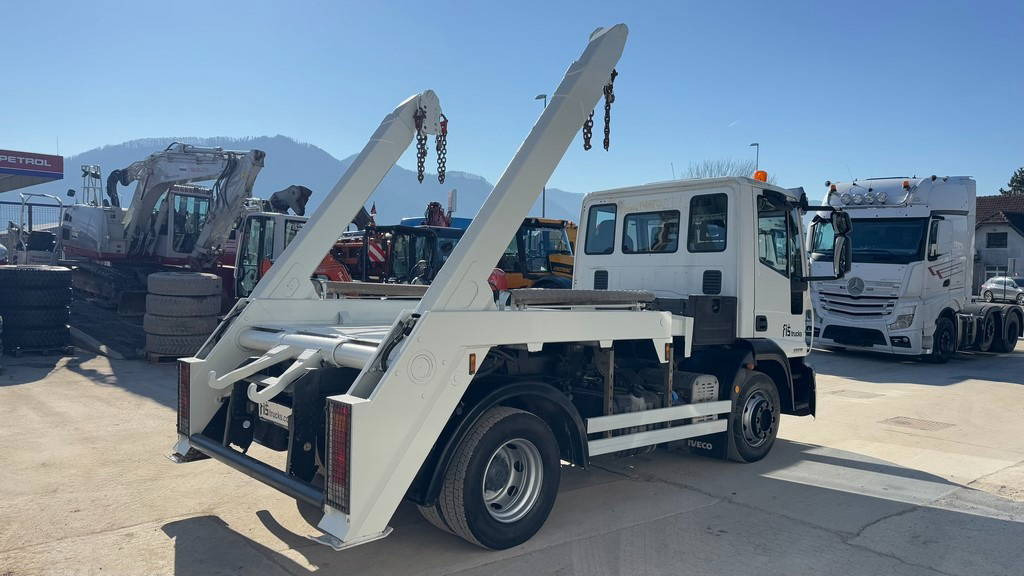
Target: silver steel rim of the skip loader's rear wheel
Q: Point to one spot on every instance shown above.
(513, 480)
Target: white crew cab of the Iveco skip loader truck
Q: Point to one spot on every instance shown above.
(737, 240)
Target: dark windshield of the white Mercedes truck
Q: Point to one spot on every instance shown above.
(893, 241)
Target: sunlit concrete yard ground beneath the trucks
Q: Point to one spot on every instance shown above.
(910, 469)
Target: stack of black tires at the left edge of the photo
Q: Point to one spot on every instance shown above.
(34, 304)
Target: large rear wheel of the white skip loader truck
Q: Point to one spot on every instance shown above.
(462, 501)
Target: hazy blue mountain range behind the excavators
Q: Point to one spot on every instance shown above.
(291, 162)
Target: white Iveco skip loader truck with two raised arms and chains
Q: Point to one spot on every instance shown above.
(689, 320)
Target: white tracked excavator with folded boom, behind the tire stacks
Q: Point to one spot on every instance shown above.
(172, 221)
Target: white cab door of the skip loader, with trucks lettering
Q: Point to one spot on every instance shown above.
(780, 292)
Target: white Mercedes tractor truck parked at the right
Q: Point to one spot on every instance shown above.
(910, 290)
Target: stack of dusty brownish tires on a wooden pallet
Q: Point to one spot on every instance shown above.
(182, 310)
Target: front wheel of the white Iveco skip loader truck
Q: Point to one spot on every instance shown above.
(755, 419)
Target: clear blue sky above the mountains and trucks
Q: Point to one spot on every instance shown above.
(831, 91)
